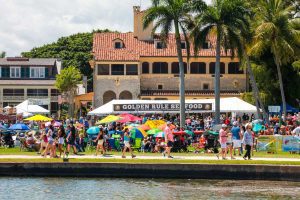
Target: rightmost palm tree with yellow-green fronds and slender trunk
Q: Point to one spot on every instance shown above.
(275, 32)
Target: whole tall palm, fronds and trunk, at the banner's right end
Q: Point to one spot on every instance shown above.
(223, 18)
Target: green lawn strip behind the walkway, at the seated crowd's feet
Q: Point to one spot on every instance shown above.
(16, 151)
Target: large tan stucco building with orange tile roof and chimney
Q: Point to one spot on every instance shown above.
(137, 65)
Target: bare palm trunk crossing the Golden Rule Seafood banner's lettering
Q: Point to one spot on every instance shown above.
(181, 75)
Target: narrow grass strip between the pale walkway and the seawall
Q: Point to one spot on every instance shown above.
(151, 161)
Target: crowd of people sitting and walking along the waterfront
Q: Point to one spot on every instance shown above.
(237, 134)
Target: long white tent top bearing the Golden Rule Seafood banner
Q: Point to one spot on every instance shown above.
(232, 104)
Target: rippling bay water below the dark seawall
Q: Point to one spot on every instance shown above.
(104, 188)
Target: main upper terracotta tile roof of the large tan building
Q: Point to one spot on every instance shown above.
(103, 48)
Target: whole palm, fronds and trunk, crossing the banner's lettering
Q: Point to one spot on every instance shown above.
(169, 14)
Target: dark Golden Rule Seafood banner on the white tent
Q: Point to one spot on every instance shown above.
(162, 107)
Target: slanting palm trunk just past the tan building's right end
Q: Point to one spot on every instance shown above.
(255, 91)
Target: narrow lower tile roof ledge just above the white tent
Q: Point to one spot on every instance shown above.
(187, 92)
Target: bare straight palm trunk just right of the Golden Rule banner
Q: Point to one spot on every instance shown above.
(217, 79)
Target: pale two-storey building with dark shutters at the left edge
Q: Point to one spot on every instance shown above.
(29, 78)
